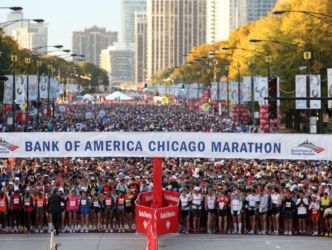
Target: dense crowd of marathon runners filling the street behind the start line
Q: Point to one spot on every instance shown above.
(226, 196)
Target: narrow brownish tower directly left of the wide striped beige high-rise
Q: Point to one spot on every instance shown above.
(140, 47)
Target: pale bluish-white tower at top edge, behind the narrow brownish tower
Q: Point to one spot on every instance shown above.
(128, 8)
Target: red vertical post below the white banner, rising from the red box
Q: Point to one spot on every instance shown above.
(157, 182)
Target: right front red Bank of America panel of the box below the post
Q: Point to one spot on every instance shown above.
(167, 219)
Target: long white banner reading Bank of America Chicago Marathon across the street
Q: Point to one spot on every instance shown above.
(140, 144)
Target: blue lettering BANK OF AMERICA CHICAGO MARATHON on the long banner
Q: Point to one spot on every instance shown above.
(153, 146)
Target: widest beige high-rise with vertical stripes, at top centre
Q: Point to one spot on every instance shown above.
(174, 28)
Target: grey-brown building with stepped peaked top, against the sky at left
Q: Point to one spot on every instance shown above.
(91, 42)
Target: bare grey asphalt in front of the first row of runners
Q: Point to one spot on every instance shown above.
(118, 241)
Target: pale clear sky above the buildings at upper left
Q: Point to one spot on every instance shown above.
(65, 16)
